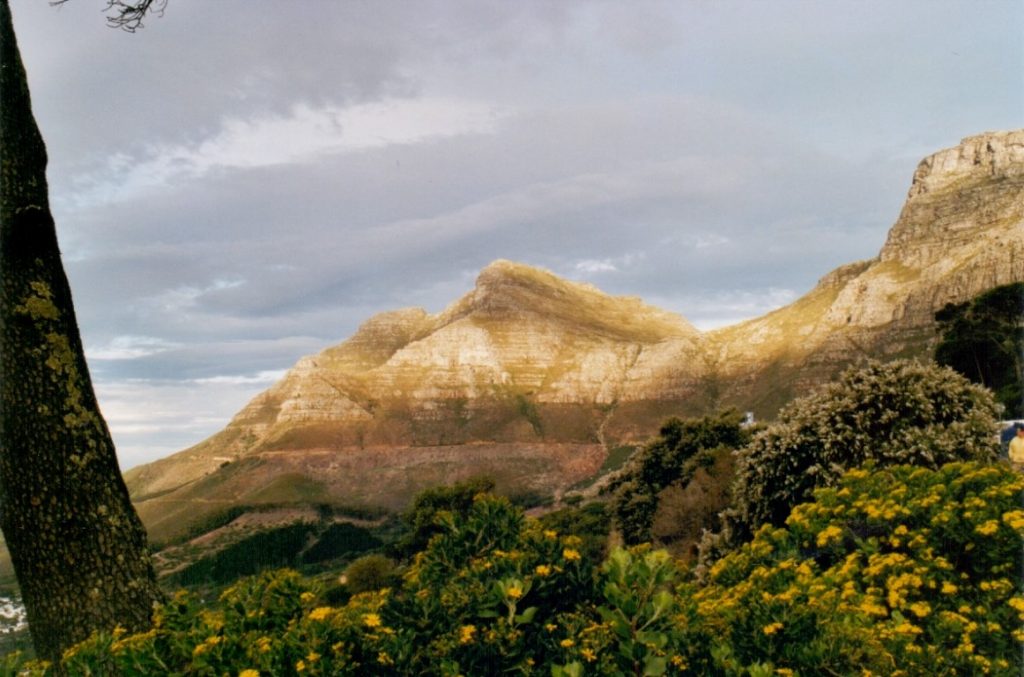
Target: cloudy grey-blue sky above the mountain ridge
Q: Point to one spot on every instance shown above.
(245, 182)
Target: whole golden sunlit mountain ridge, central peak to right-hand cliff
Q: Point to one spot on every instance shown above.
(534, 379)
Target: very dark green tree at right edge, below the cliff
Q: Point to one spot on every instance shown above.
(984, 340)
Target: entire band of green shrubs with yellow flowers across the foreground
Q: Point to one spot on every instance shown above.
(895, 571)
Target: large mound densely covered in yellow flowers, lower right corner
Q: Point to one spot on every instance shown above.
(898, 571)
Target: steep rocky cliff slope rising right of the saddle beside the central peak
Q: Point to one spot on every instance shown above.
(961, 233)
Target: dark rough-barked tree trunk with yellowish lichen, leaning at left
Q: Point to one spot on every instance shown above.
(78, 547)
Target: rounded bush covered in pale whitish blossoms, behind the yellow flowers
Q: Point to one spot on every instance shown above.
(895, 413)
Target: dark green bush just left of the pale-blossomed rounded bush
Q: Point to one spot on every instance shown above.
(673, 458)
